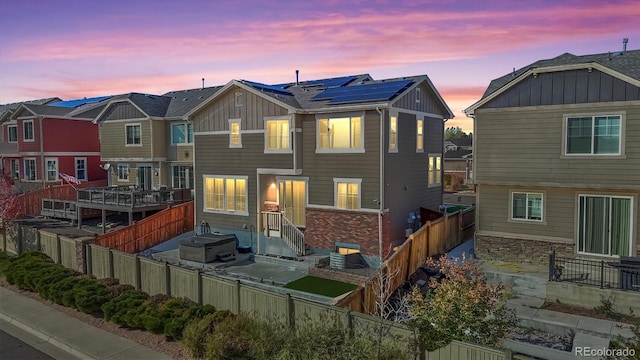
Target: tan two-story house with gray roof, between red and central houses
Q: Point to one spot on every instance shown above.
(145, 141)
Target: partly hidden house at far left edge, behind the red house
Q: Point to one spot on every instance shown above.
(9, 135)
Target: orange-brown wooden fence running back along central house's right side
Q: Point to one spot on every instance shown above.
(435, 237)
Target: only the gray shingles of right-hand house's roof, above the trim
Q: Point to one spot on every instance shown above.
(627, 64)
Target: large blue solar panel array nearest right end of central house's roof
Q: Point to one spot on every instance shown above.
(365, 92)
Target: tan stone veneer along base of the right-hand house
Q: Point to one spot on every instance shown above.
(519, 250)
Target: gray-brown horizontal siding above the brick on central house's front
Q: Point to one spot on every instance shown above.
(321, 169)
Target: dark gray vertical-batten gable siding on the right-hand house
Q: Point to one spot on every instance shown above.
(566, 87)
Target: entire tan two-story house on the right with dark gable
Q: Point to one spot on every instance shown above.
(557, 159)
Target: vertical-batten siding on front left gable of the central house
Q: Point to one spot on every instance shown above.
(215, 116)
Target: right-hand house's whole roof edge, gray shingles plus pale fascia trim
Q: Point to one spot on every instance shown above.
(625, 64)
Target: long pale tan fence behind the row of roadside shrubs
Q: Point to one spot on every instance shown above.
(155, 277)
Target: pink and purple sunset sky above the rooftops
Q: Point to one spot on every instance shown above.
(73, 49)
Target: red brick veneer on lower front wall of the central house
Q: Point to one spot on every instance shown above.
(325, 227)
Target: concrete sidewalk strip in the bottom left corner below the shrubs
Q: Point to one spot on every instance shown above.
(68, 333)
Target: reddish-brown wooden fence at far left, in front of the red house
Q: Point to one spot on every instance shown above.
(31, 202)
